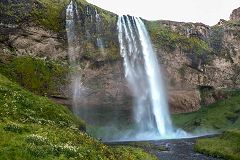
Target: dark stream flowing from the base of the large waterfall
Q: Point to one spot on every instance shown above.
(176, 149)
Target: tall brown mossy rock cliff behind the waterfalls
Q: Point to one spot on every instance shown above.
(193, 56)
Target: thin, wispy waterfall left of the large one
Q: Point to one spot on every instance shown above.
(73, 49)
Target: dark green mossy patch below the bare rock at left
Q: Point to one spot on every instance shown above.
(37, 75)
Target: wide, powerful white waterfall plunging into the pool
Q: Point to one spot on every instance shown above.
(144, 76)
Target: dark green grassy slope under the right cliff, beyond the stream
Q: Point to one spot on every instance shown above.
(220, 116)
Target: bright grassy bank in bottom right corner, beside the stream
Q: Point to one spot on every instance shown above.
(226, 146)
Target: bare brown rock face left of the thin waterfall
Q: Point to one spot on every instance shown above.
(36, 41)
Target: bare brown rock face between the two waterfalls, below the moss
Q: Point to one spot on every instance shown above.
(106, 85)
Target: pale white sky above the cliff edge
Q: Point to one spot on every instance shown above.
(206, 11)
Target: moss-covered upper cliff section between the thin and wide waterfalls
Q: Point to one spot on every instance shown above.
(92, 24)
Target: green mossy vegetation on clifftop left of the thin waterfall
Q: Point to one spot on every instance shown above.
(43, 12)
